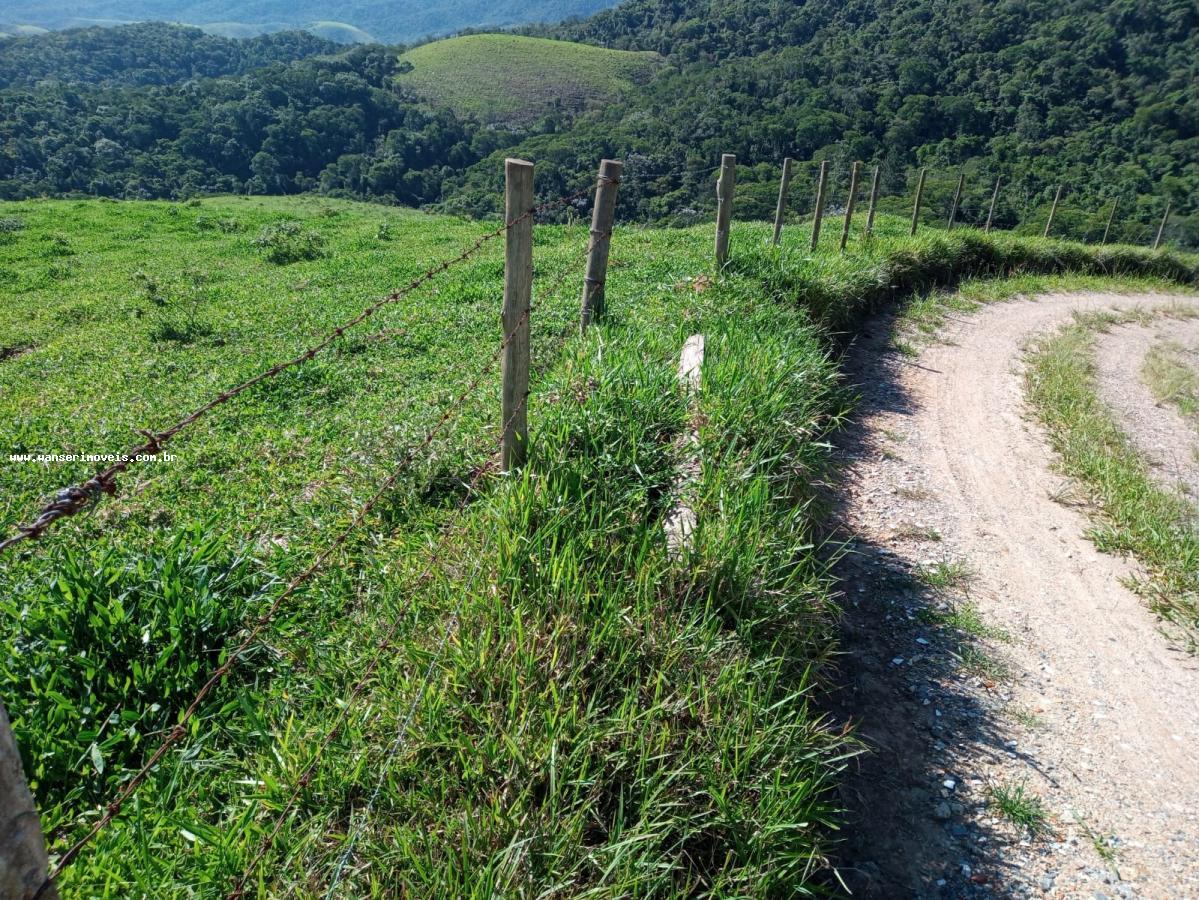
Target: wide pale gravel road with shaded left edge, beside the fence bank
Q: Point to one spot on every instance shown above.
(1074, 694)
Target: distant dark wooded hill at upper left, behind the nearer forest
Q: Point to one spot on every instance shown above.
(149, 53)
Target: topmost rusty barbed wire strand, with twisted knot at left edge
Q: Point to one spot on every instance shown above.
(73, 500)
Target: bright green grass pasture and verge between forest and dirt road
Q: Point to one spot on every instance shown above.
(568, 709)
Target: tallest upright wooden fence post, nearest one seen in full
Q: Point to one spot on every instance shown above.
(517, 301)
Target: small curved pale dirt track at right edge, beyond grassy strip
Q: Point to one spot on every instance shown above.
(1159, 431)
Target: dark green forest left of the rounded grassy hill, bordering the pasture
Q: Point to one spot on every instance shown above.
(329, 124)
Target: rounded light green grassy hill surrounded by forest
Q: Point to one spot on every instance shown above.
(515, 80)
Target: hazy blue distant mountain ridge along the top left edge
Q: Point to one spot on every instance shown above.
(387, 21)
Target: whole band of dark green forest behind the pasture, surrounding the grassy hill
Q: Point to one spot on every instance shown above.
(1098, 96)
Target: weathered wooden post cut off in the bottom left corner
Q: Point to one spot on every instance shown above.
(23, 863)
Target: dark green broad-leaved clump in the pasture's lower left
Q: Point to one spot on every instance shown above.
(112, 650)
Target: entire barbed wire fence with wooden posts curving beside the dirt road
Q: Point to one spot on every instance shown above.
(74, 499)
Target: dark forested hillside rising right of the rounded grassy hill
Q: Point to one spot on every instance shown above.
(1094, 94)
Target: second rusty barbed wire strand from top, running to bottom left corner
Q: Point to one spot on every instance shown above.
(261, 624)
